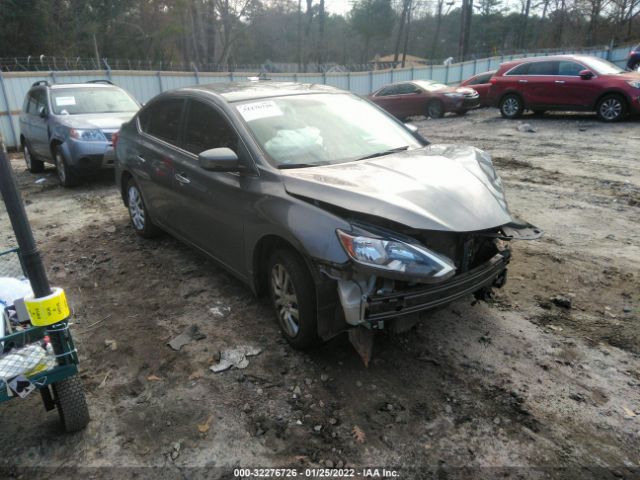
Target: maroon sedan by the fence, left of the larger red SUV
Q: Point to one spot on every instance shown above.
(424, 97)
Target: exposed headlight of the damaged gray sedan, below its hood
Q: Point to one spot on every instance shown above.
(395, 256)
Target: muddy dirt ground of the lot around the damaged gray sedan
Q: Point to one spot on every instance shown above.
(516, 388)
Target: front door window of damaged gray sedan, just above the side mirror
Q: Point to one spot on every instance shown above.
(206, 128)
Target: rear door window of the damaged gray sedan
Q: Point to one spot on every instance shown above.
(162, 119)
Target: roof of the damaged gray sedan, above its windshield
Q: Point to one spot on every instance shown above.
(242, 91)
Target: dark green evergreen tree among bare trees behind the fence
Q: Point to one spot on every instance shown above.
(372, 19)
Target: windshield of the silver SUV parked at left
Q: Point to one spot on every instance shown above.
(70, 101)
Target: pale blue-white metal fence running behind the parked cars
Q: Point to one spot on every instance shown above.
(144, 85)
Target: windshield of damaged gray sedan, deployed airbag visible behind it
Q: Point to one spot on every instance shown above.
(321, 129)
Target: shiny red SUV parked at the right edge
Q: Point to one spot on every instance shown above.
(567, 83)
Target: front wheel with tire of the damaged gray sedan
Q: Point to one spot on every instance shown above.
(288, 275)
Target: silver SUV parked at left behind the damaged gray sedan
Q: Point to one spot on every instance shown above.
(71, 125)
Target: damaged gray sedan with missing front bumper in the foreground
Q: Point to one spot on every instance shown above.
(348, 219)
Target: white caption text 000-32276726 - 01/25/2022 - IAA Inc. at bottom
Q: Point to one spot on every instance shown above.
(248, 473)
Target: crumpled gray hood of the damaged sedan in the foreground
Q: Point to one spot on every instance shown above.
(439, 187)
